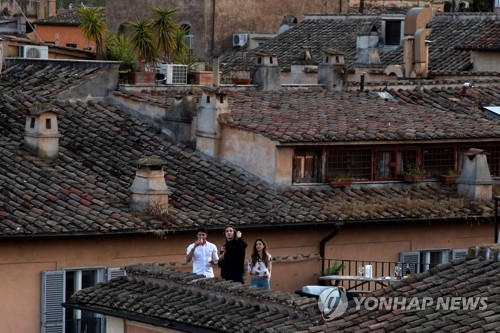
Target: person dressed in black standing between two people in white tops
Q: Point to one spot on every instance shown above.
(232, 258)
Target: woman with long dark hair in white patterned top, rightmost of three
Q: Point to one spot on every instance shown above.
(260, 265)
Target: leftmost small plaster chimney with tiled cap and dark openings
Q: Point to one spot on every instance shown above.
(41, 134)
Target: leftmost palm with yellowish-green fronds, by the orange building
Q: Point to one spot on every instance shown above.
(94, 28)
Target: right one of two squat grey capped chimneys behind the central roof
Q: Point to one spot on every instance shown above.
(332, 71)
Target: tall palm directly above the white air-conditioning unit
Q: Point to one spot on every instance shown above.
(165, 28)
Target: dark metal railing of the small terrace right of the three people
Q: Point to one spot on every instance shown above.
(379, 269)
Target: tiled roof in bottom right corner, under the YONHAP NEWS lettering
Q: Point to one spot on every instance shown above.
(475, 277)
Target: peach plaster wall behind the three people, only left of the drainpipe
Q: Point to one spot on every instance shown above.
(22, 262)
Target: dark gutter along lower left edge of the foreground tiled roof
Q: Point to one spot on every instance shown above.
(174, 325)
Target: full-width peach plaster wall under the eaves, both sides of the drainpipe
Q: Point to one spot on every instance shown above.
(22, 262)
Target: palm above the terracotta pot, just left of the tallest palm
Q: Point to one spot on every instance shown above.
(143, 42)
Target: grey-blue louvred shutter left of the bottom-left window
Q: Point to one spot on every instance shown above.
(52, 316)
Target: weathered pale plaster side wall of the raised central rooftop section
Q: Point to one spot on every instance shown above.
(250, 151)
